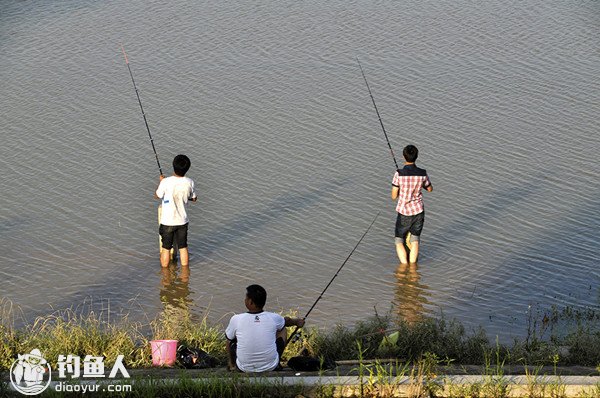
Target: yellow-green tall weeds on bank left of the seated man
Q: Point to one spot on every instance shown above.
(80, 333)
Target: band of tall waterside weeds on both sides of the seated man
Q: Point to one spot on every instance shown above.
(438, 339)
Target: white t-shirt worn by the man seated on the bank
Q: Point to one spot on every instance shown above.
(255, 333)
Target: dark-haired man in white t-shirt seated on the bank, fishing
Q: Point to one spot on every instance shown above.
(256, 339)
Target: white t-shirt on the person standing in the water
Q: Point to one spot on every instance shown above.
(175, 192)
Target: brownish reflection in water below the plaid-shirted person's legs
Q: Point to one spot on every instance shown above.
(411, 296)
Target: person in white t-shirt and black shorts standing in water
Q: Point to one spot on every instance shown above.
(175, 192)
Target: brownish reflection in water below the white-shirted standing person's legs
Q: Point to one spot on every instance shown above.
(174, 288)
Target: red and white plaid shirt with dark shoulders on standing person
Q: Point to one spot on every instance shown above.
(410, 180)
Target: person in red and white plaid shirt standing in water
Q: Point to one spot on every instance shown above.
(407, 189)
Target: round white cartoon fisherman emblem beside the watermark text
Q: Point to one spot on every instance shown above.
(30, 374)
